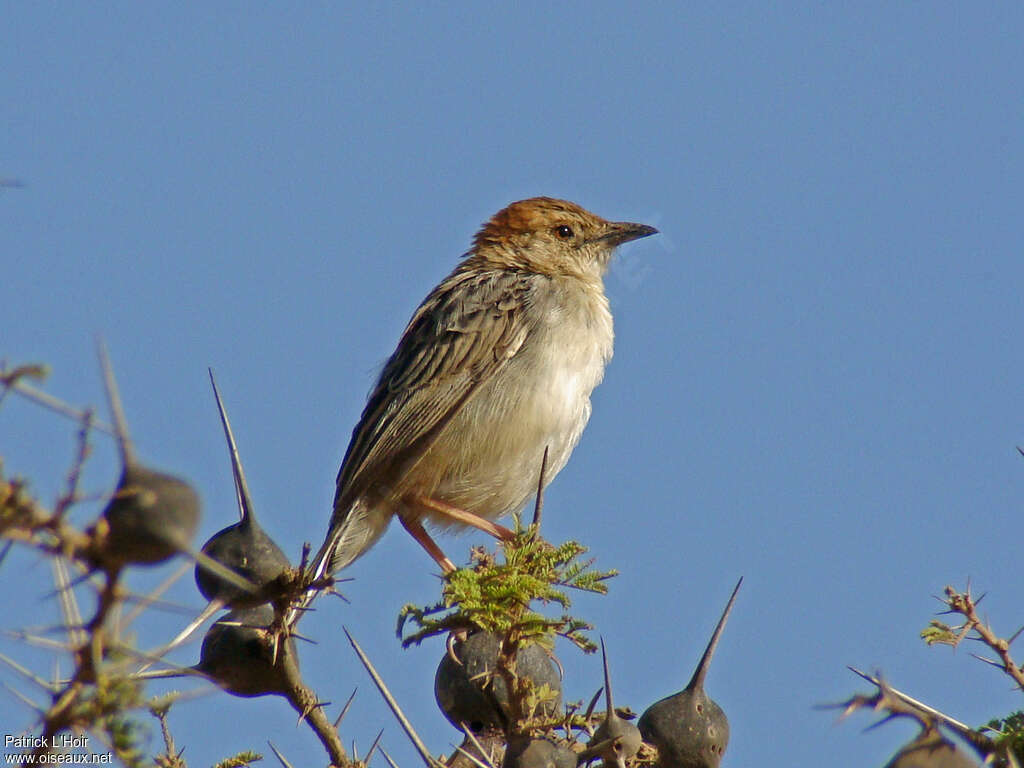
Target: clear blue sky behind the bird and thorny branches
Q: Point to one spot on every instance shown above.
(818, 374)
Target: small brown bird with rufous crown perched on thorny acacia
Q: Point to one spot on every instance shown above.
(496, 366)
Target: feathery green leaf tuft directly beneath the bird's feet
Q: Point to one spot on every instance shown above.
(497, 591)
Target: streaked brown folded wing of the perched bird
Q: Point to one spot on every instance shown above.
(461, 336)
